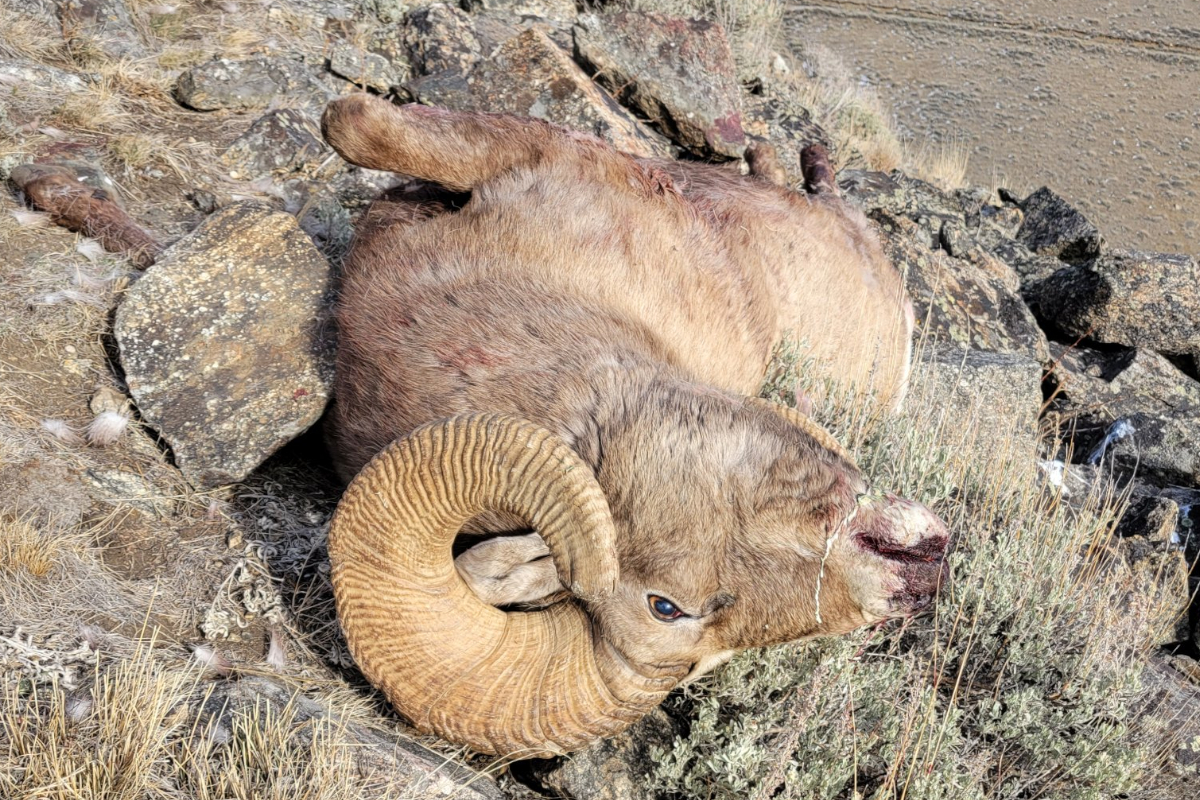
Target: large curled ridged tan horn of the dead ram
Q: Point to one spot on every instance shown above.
(507, 683)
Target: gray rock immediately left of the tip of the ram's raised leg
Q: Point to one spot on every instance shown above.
(286, 141)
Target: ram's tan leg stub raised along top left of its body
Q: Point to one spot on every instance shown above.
(459, 151)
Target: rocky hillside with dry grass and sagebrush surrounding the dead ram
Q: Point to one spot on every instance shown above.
(166, 619)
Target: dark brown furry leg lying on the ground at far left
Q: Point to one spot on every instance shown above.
(86, 210)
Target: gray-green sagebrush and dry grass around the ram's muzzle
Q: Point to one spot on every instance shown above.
(1025, 683)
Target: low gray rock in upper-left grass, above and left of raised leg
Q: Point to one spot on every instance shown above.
(248, 85)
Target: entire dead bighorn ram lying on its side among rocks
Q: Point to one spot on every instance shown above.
(549, 334)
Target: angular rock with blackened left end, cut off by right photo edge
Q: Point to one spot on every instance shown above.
(1145, 300)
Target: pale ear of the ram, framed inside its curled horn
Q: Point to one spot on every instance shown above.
(511, 570)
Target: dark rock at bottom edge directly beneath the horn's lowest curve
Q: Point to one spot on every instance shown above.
(614, 769)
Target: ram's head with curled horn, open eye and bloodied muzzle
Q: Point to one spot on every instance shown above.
(681, 546)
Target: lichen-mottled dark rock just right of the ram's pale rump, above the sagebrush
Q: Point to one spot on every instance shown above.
(969, 304)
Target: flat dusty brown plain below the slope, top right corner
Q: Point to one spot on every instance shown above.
(1097, 100)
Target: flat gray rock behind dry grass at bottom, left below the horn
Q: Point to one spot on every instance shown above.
(398, 766)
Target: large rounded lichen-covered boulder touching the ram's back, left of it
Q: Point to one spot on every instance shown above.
(224, 342)
